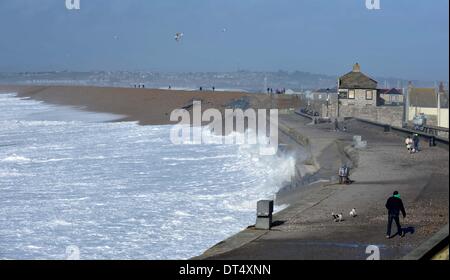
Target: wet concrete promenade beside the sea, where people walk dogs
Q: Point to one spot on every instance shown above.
(306, 230)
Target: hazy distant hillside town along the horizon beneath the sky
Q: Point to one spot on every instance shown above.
(241, 80)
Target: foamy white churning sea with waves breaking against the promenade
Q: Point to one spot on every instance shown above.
(120, 190)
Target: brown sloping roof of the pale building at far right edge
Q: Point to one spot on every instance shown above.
(427, 98)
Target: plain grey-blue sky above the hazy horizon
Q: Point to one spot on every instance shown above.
(406, 39)
